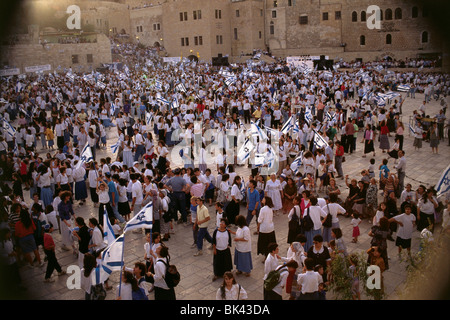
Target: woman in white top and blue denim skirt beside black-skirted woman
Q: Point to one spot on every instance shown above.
(243, 247)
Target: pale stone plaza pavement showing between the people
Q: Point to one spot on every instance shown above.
(196, 272)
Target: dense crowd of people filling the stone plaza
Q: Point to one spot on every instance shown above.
(146, 126)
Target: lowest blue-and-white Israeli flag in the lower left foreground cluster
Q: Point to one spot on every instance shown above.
(112, 260)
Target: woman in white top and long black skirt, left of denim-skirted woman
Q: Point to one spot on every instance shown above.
(221, 249)
